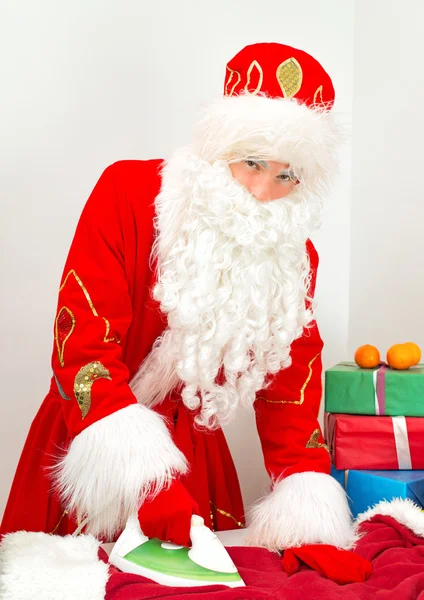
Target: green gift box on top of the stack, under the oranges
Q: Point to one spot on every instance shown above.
(380, 391)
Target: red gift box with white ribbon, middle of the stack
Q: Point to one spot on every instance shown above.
(375, 443)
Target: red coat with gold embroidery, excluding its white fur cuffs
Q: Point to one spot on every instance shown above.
(106, 315)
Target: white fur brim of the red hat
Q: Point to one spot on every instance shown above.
(277, 129)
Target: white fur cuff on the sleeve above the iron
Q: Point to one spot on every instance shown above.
(114, 464)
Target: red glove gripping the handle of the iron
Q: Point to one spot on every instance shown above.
(168, 515)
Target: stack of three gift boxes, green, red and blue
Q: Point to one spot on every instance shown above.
(374, 427)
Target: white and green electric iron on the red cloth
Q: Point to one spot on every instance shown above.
(205, 563)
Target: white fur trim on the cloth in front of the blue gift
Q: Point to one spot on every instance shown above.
(402, 509)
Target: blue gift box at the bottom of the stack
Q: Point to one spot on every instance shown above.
(366, 488)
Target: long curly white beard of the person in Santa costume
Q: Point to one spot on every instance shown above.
(232, 278)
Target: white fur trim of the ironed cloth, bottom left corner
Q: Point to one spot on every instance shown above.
(38, 566)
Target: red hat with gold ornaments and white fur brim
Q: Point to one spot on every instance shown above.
(276, 106)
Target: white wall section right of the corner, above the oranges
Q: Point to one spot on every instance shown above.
(387, 236)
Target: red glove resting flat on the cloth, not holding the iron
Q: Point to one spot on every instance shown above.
(341, 566)
